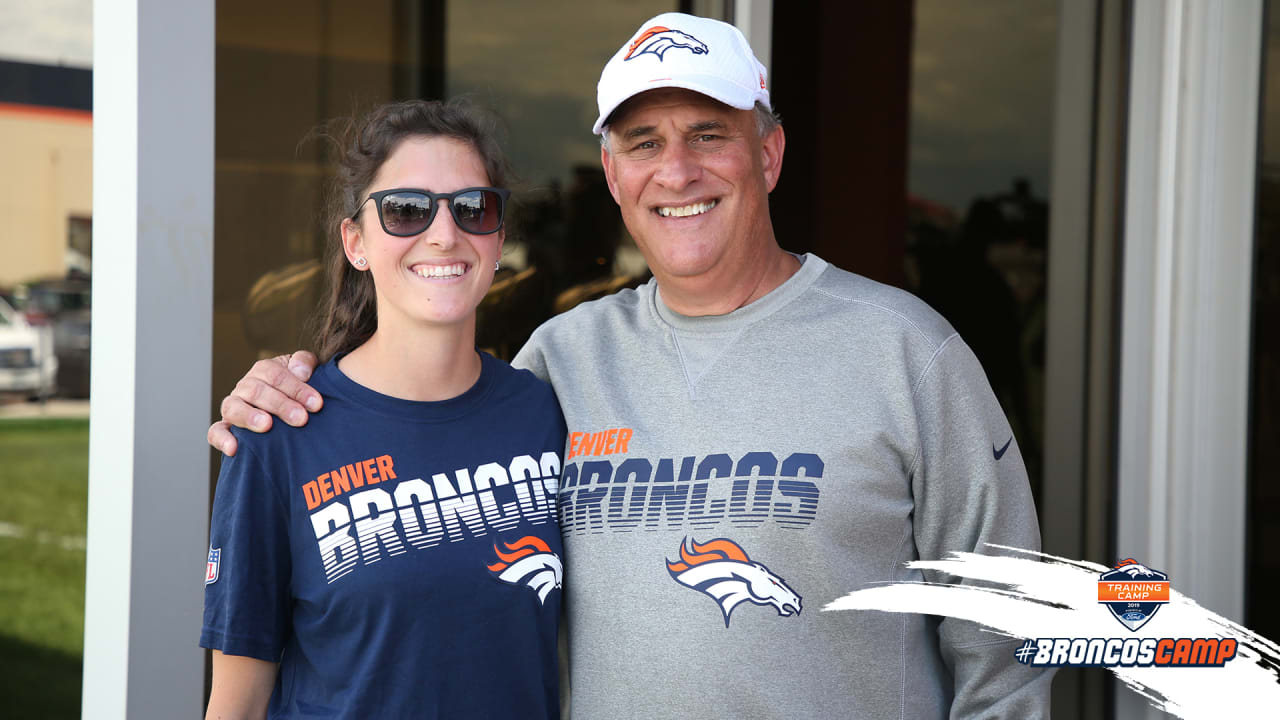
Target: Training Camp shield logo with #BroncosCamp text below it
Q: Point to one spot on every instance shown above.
(1133, 594)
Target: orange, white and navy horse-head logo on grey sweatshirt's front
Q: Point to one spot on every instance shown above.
(721, 569)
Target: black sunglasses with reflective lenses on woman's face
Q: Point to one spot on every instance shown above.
(406, 212)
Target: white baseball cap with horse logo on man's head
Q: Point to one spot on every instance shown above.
(679, 51)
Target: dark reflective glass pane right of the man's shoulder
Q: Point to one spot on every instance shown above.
(979, 167)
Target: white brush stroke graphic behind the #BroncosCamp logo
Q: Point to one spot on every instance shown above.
(1044, 596)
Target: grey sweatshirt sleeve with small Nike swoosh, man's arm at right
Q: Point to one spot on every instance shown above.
(971, 490)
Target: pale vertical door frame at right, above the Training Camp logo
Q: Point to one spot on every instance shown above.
(1188, 265)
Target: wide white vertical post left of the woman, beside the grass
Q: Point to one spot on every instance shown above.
(152, 338)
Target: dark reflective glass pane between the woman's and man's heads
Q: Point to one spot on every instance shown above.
(538, 67)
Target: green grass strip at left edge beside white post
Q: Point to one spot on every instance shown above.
(44, 500)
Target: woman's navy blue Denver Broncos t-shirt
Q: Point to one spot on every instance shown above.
(399, 559)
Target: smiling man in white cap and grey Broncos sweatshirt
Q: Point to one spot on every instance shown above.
(753, 435)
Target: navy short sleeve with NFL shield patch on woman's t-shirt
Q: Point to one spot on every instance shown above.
(248, 594)
